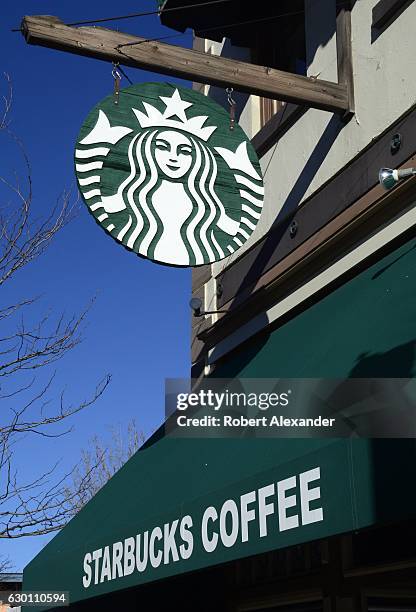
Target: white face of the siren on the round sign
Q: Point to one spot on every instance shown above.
(173, 154)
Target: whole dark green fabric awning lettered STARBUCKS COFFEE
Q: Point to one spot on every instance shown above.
(364, 328)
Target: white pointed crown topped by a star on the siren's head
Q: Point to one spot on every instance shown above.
(175, 106)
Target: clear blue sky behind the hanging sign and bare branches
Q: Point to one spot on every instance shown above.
(138, 329)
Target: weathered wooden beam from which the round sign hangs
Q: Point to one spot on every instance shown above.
(112, 46)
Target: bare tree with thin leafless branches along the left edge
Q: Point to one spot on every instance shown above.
(30, 404)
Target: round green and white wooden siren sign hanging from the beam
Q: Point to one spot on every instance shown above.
(162, 172)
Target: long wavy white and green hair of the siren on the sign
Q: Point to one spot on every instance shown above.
(144, 227)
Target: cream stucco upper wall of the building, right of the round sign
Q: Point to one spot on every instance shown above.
(319, 145)
